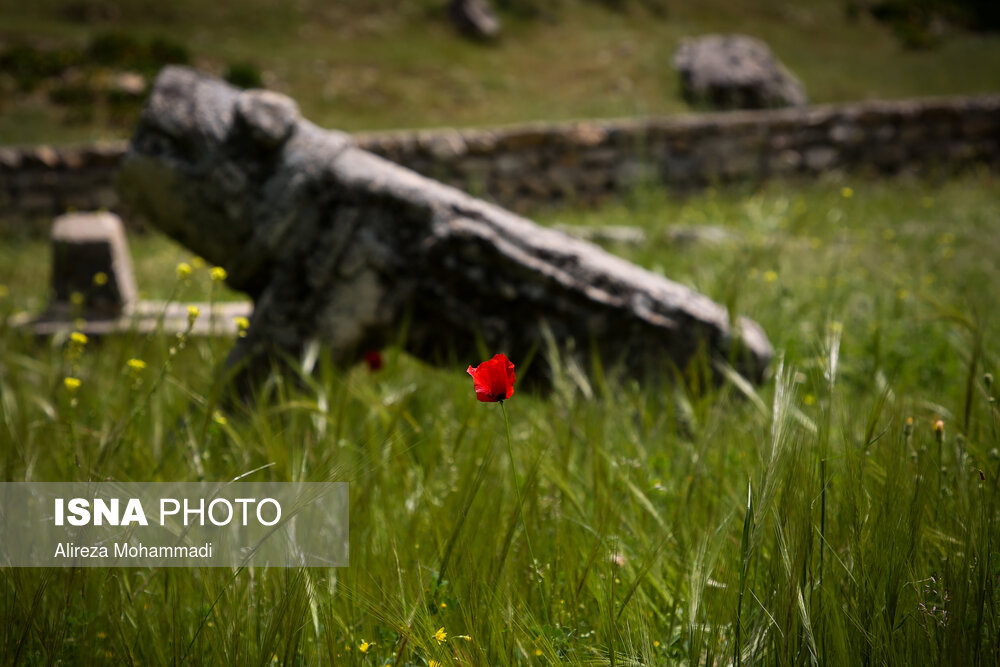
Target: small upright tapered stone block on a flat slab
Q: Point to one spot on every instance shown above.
(90, 258)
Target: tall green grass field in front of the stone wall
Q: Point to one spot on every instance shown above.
(804, 521)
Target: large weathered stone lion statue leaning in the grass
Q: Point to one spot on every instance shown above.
(336, 244)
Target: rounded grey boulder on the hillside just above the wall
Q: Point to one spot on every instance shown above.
(735, 72)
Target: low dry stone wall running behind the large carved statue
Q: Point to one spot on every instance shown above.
(528, 166)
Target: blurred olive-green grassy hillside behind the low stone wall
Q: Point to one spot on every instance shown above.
(369, 65)
